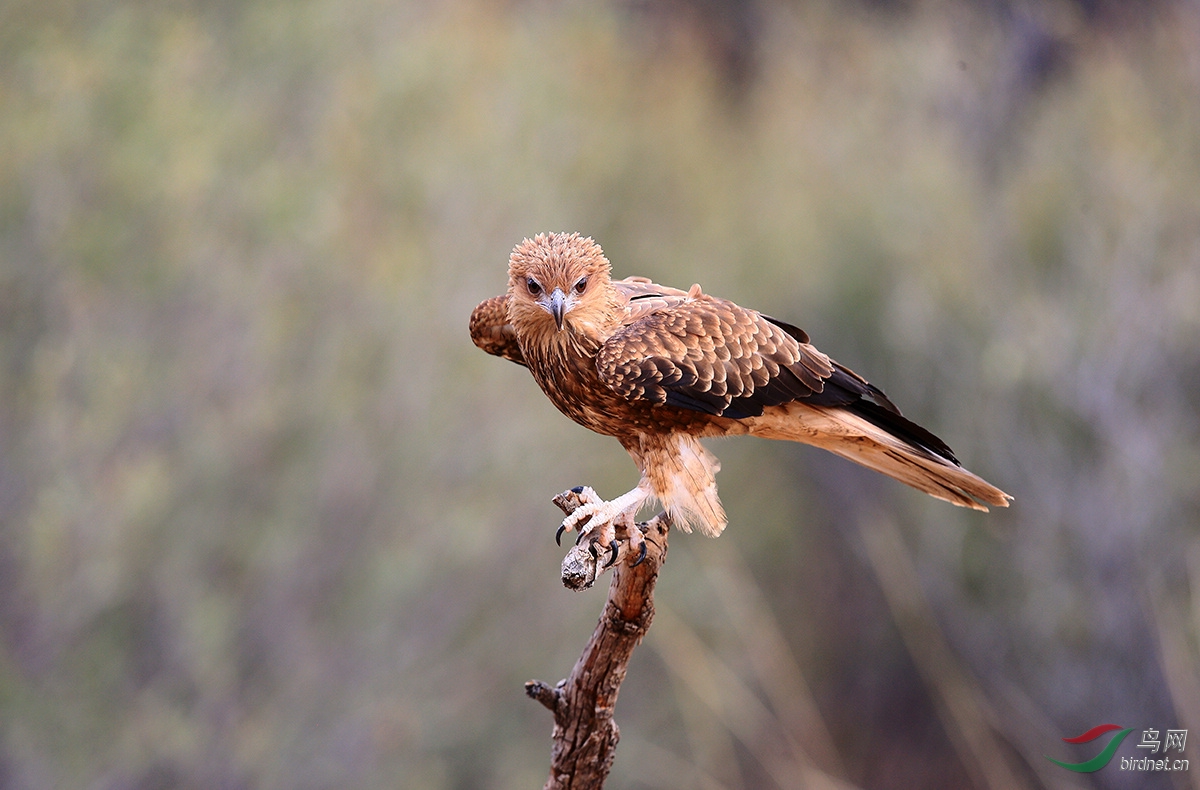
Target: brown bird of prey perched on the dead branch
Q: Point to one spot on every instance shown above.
(659, 369)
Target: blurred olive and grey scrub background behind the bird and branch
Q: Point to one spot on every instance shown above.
(269, 520)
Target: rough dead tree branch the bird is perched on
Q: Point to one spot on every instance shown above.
(585, 732)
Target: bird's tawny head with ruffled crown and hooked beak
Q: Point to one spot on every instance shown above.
(559, 280)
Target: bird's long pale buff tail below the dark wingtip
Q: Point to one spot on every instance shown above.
(899, 448)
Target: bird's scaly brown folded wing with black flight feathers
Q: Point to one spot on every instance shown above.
(712, 356)
